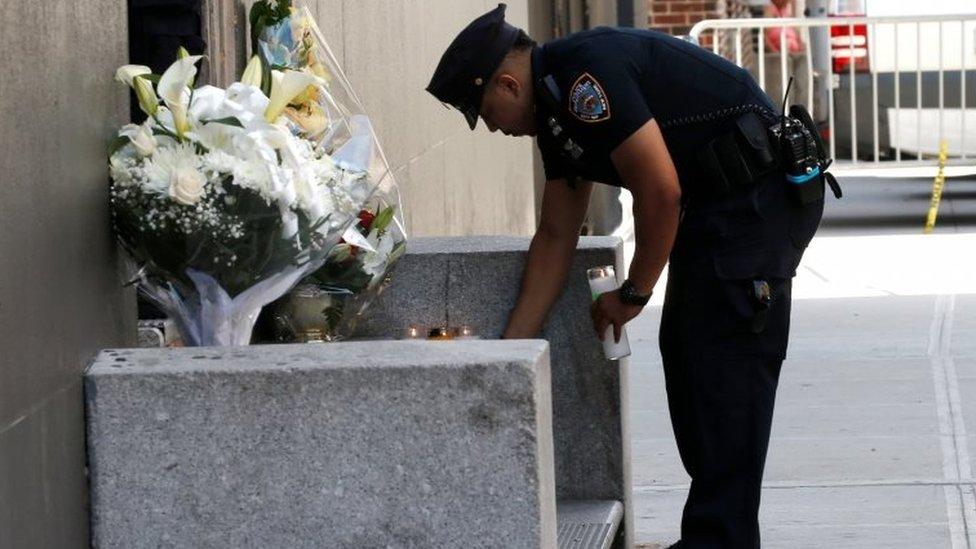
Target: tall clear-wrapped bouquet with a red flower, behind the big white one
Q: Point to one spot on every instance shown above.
(327, 304)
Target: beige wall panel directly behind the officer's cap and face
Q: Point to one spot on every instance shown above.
(456, 182)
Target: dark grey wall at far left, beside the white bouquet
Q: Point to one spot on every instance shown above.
(60, 295)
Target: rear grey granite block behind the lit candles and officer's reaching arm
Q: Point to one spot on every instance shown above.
(475, 281)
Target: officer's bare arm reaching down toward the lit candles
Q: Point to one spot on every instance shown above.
(550, 256)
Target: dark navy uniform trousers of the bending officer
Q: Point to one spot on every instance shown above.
(723, 349)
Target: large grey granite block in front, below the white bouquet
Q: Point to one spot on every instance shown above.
(379, 444)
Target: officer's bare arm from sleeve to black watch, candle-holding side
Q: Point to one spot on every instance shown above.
(645, 166)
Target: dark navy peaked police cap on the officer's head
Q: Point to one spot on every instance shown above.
(471, 60)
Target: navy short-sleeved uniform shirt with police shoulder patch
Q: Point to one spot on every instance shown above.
(613, 81)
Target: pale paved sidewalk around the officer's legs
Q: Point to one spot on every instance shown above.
(870, 447)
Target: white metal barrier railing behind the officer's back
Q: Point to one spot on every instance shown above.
(887, 33)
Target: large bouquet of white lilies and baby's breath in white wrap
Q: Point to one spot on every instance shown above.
(223, 201)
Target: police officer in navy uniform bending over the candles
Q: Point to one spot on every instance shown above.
(686, 132)
